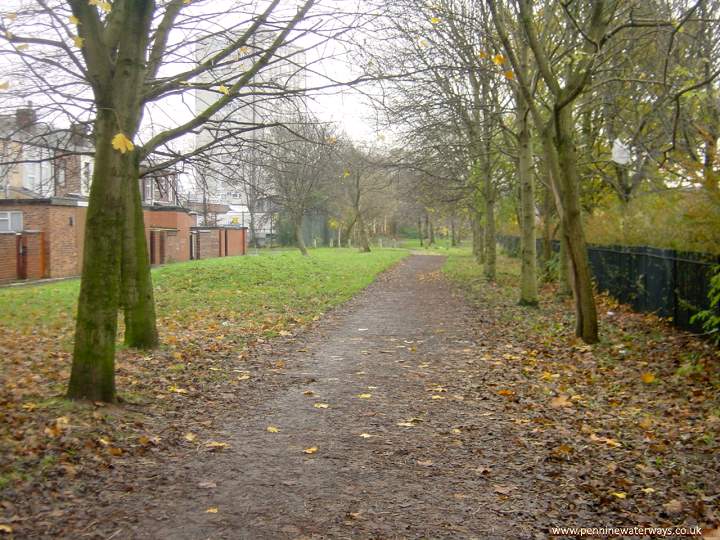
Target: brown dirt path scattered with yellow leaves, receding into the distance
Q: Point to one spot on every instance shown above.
(391, 364)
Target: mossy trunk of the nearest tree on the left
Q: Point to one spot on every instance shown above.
(93, 368)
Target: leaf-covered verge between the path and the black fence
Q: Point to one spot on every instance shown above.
(630, 427)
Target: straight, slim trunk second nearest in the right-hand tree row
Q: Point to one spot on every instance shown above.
(528, 273)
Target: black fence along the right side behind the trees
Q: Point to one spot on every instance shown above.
(669, 283)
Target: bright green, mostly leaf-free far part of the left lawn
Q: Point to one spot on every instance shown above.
(275, 284)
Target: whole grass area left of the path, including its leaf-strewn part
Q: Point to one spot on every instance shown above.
(211, 315)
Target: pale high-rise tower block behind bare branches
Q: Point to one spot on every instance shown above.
(232, 177)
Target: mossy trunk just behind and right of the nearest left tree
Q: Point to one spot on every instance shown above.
(137, 298)
